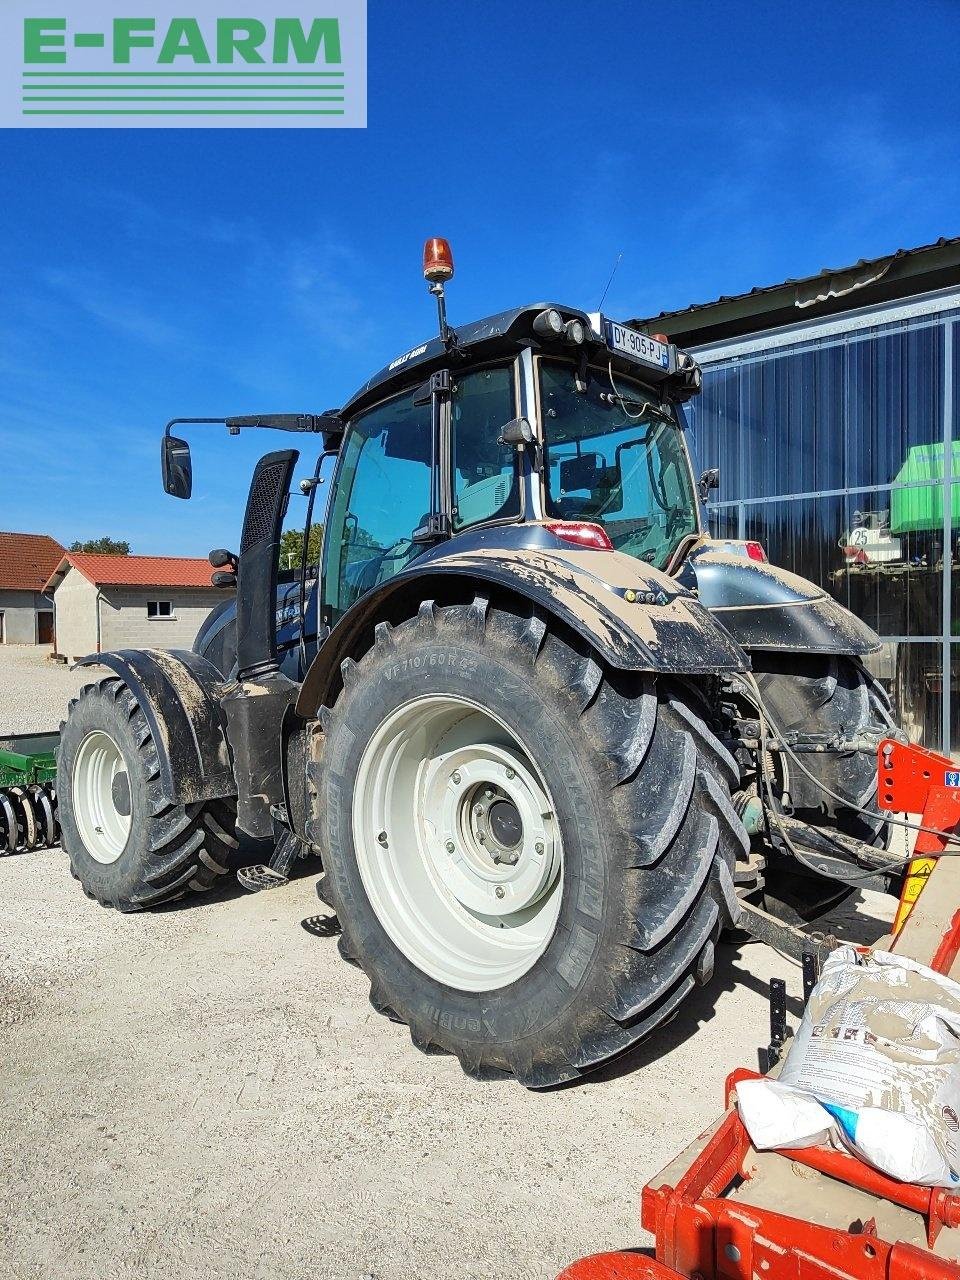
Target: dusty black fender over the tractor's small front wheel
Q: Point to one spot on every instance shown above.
(180, 694)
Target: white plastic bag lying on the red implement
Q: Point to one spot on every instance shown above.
(875, 1067)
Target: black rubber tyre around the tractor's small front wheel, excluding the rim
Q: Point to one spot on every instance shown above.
(171, 849)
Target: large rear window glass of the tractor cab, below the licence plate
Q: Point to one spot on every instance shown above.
(618, 459)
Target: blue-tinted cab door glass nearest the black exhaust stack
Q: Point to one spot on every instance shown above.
(382, 497)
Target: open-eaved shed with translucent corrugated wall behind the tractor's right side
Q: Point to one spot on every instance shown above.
(831, 408)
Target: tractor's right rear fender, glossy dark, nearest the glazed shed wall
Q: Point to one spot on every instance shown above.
(766, 607)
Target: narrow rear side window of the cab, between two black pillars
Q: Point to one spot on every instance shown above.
(486, 481)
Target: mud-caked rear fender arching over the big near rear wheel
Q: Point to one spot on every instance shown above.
(634, 616)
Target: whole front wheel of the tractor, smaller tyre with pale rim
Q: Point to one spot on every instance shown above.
(129, 847)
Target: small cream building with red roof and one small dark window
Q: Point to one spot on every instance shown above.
(129, 602)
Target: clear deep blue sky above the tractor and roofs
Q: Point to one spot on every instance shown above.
(152, 275)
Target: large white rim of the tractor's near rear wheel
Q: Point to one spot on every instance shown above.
(458, 844)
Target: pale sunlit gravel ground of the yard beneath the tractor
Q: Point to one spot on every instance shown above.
(205, 1091)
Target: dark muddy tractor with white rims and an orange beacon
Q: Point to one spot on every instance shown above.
(546, 735)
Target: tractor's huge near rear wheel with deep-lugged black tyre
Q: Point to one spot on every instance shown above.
(638, 790)
